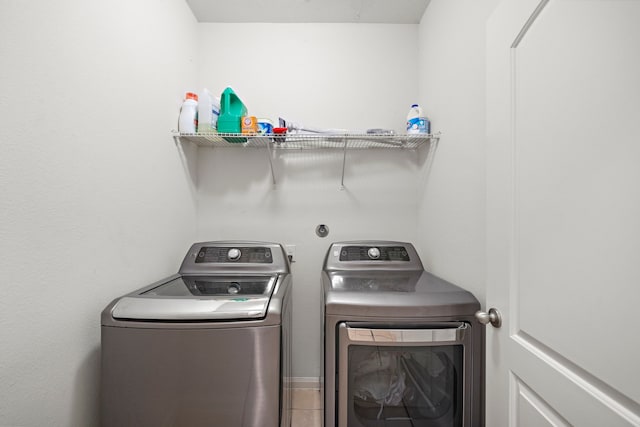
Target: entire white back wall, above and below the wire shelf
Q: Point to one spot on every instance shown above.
(353, 76)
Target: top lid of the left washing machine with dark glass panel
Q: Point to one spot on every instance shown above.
(186, 298)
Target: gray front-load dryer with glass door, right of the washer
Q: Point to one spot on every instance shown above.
(401, 346)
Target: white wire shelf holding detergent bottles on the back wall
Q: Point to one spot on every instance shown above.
(309, 141)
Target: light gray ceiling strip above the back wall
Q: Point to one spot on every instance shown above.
(301, 11)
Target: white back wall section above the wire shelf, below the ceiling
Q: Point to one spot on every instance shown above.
(353, 76)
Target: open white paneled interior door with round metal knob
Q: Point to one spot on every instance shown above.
(563, 177)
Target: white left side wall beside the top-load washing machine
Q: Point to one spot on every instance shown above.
(94, 198)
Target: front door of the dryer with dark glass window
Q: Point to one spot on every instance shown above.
(403, 375)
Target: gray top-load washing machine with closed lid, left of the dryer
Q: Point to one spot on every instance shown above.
(209, 346)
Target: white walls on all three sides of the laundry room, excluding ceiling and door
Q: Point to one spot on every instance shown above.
(96, 199)
